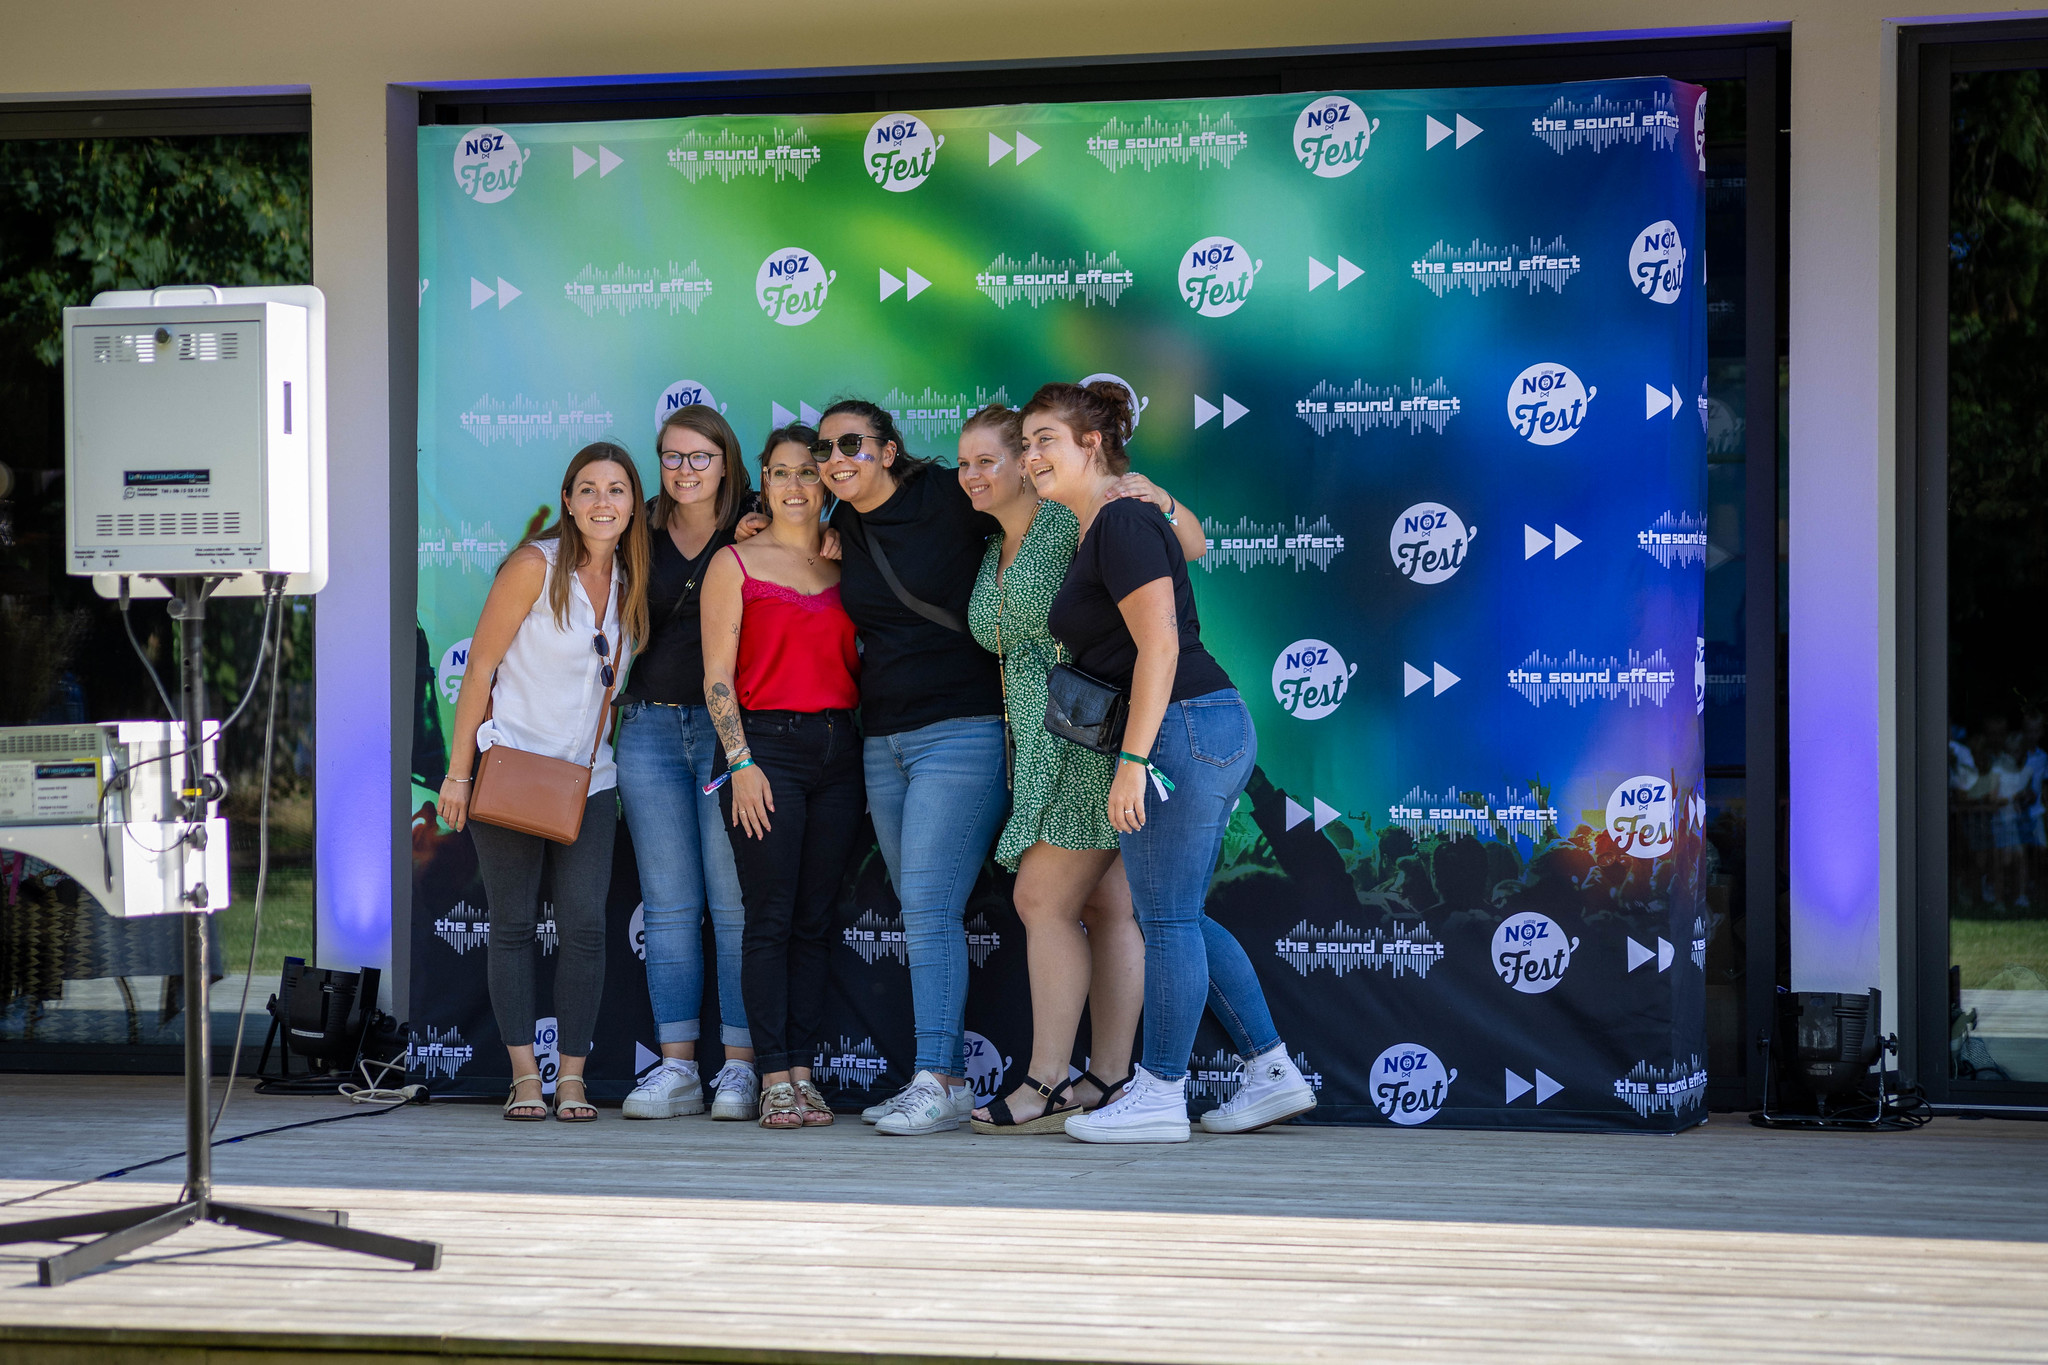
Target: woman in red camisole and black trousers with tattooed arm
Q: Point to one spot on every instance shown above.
(781, 689)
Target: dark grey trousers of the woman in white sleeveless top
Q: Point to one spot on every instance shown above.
(583, 875)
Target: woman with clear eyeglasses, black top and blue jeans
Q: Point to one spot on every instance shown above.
(665, 764)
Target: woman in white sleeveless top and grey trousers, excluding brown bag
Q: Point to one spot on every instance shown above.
(558, 629)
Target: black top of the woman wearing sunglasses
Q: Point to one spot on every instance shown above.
(912, 670)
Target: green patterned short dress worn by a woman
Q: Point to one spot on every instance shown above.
(1060, 791)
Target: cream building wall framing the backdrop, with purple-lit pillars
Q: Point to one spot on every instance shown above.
(1842, 586)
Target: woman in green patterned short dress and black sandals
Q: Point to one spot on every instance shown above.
(1082, 940)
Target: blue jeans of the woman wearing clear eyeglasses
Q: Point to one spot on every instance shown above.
(685, 863)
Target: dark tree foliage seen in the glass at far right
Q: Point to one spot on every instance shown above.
(1998, 410)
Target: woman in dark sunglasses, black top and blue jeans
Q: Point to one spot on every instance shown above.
(933, 725)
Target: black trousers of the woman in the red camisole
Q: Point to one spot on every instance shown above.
(792, 879)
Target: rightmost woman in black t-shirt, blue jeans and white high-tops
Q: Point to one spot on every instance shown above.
(1125, 615)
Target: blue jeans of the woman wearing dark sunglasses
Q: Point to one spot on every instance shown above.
(937, 795)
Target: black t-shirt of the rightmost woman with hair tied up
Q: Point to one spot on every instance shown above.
(1127, 547)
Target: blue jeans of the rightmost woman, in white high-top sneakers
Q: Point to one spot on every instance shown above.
(1207, 750)
